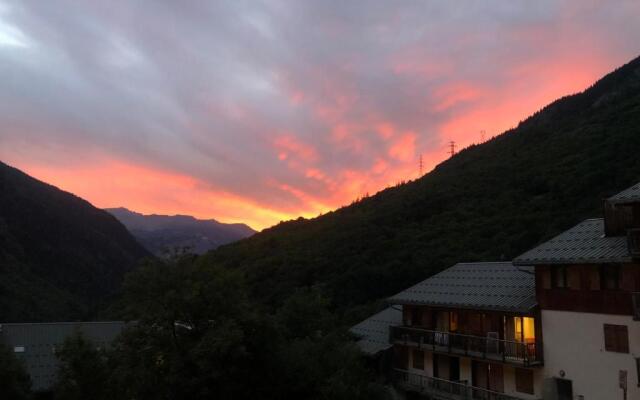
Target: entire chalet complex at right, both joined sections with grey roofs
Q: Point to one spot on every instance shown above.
(475, 330)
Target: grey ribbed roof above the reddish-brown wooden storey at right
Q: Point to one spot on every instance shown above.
(584, 243)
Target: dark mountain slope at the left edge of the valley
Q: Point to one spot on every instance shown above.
(60, 257)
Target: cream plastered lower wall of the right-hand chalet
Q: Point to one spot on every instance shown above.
(574, 343)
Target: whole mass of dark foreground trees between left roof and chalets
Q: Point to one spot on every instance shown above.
(198, 336)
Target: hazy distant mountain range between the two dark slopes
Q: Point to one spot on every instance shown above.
(159, 233)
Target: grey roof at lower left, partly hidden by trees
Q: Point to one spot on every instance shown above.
(35, 344)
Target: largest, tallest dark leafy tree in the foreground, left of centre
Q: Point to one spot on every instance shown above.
(196, 334)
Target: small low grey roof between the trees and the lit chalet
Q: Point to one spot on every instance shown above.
(373, 332)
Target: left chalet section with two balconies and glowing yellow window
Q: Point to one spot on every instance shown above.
(471, 331)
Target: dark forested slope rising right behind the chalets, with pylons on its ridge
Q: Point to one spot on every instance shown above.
(489, 202)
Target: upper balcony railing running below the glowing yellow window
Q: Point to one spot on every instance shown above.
(507, 351)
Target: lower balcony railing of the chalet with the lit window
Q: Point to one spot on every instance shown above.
(444, 389)
